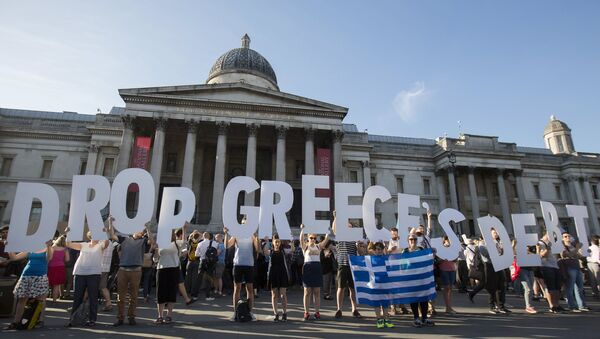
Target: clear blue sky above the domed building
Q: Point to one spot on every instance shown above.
(405, 68)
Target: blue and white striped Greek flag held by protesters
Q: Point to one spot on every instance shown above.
(383, 280)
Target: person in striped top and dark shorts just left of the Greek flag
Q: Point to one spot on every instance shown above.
(344, 278)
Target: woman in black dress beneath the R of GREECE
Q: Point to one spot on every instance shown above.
(278, 279)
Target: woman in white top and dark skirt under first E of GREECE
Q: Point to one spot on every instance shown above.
(312, 277)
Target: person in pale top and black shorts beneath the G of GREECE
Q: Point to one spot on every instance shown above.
(243, 268)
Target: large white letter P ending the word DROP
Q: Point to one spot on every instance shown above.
(168, 219)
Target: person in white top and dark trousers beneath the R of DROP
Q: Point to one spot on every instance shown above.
(86, 272)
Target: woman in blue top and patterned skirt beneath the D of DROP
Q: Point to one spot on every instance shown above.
(33, 283)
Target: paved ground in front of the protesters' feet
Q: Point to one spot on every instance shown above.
(209, 320)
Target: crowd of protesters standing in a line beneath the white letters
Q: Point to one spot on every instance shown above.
(88, 272)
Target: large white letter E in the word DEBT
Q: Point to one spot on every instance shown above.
(525, 239)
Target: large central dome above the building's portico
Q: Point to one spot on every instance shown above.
(243, 65)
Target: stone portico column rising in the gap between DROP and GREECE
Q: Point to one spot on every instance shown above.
(216, 217)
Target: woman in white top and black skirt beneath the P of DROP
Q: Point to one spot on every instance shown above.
(167, 277)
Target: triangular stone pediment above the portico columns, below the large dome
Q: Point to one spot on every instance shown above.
(237, 93)
